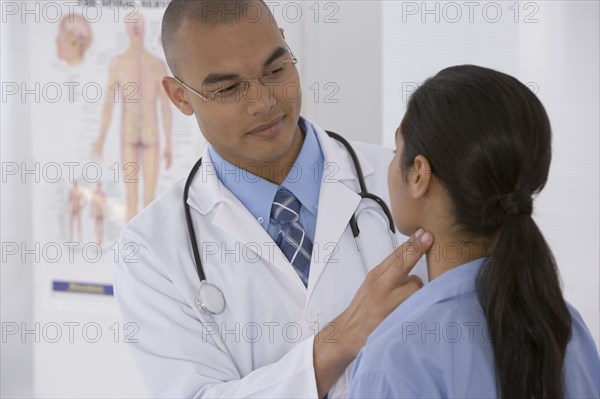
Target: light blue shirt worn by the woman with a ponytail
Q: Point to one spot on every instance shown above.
(436, 345)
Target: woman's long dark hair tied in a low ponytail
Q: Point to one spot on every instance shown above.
(488, 139)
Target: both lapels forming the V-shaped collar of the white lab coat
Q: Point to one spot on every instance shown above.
(338, 197)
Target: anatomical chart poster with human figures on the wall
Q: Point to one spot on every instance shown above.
(106, 139)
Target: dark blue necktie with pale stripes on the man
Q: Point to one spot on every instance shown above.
(292, 238)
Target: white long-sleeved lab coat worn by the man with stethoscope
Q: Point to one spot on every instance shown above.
(262, 344)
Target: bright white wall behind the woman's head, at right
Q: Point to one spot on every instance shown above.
(556, 54)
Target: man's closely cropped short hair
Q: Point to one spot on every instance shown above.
(206, 12)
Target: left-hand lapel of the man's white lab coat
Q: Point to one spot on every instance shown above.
(213, 200)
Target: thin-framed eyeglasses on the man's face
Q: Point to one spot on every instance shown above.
(232, 92)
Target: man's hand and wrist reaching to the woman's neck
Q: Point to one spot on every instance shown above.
(385, 287)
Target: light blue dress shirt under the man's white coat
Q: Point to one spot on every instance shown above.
(257, 194)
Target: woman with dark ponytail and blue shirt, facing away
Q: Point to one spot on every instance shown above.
(473, 149)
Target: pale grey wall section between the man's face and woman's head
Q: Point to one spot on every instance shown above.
(343, 56)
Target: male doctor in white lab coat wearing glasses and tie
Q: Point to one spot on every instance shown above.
(270, 206)
